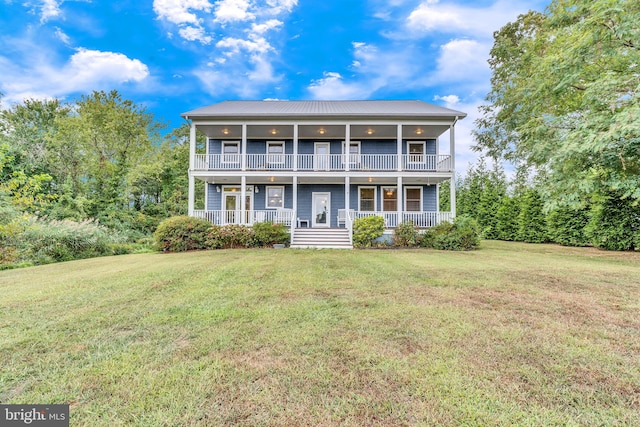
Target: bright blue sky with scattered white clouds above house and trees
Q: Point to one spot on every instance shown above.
(173, 56)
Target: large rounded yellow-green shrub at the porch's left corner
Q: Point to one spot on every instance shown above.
(182, 233)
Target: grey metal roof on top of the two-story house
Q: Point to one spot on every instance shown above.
(323, 109)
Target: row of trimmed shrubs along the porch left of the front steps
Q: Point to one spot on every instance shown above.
(183, 233)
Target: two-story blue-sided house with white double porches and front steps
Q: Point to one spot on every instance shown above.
(316, 166)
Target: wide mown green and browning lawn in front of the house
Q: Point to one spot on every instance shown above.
(511, 334)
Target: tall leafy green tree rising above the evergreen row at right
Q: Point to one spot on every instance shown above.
(565, 98)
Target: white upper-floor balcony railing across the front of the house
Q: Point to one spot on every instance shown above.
(323, 162)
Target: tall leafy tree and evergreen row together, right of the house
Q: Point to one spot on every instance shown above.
(564, 108)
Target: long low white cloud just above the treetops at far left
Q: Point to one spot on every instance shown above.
(85, 70)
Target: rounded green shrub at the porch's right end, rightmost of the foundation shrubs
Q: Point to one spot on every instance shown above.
(461, 235)
